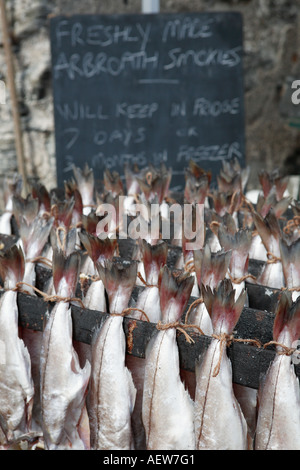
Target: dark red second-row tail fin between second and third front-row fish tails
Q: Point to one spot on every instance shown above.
(99, 250)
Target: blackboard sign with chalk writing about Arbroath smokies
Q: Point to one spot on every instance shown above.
(147, 88)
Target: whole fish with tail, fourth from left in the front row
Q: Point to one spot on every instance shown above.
(168, 410)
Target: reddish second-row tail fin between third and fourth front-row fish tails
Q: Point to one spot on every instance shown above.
(154, 258)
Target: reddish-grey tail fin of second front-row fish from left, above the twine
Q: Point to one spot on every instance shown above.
(65, 272)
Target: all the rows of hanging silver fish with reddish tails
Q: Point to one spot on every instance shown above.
(69, 395)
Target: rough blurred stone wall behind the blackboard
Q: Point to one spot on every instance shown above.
(271, 62)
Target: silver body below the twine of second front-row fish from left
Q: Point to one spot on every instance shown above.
(63, 382)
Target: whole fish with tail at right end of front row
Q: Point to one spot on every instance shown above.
(278, 421)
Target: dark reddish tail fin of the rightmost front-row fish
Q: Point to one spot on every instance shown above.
(287, 315)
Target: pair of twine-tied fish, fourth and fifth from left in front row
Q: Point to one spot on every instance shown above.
(172, 420)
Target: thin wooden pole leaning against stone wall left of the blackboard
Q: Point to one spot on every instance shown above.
(13, 94)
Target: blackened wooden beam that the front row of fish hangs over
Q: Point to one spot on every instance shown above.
(249, 362)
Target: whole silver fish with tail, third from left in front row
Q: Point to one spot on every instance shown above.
(112, 392)
